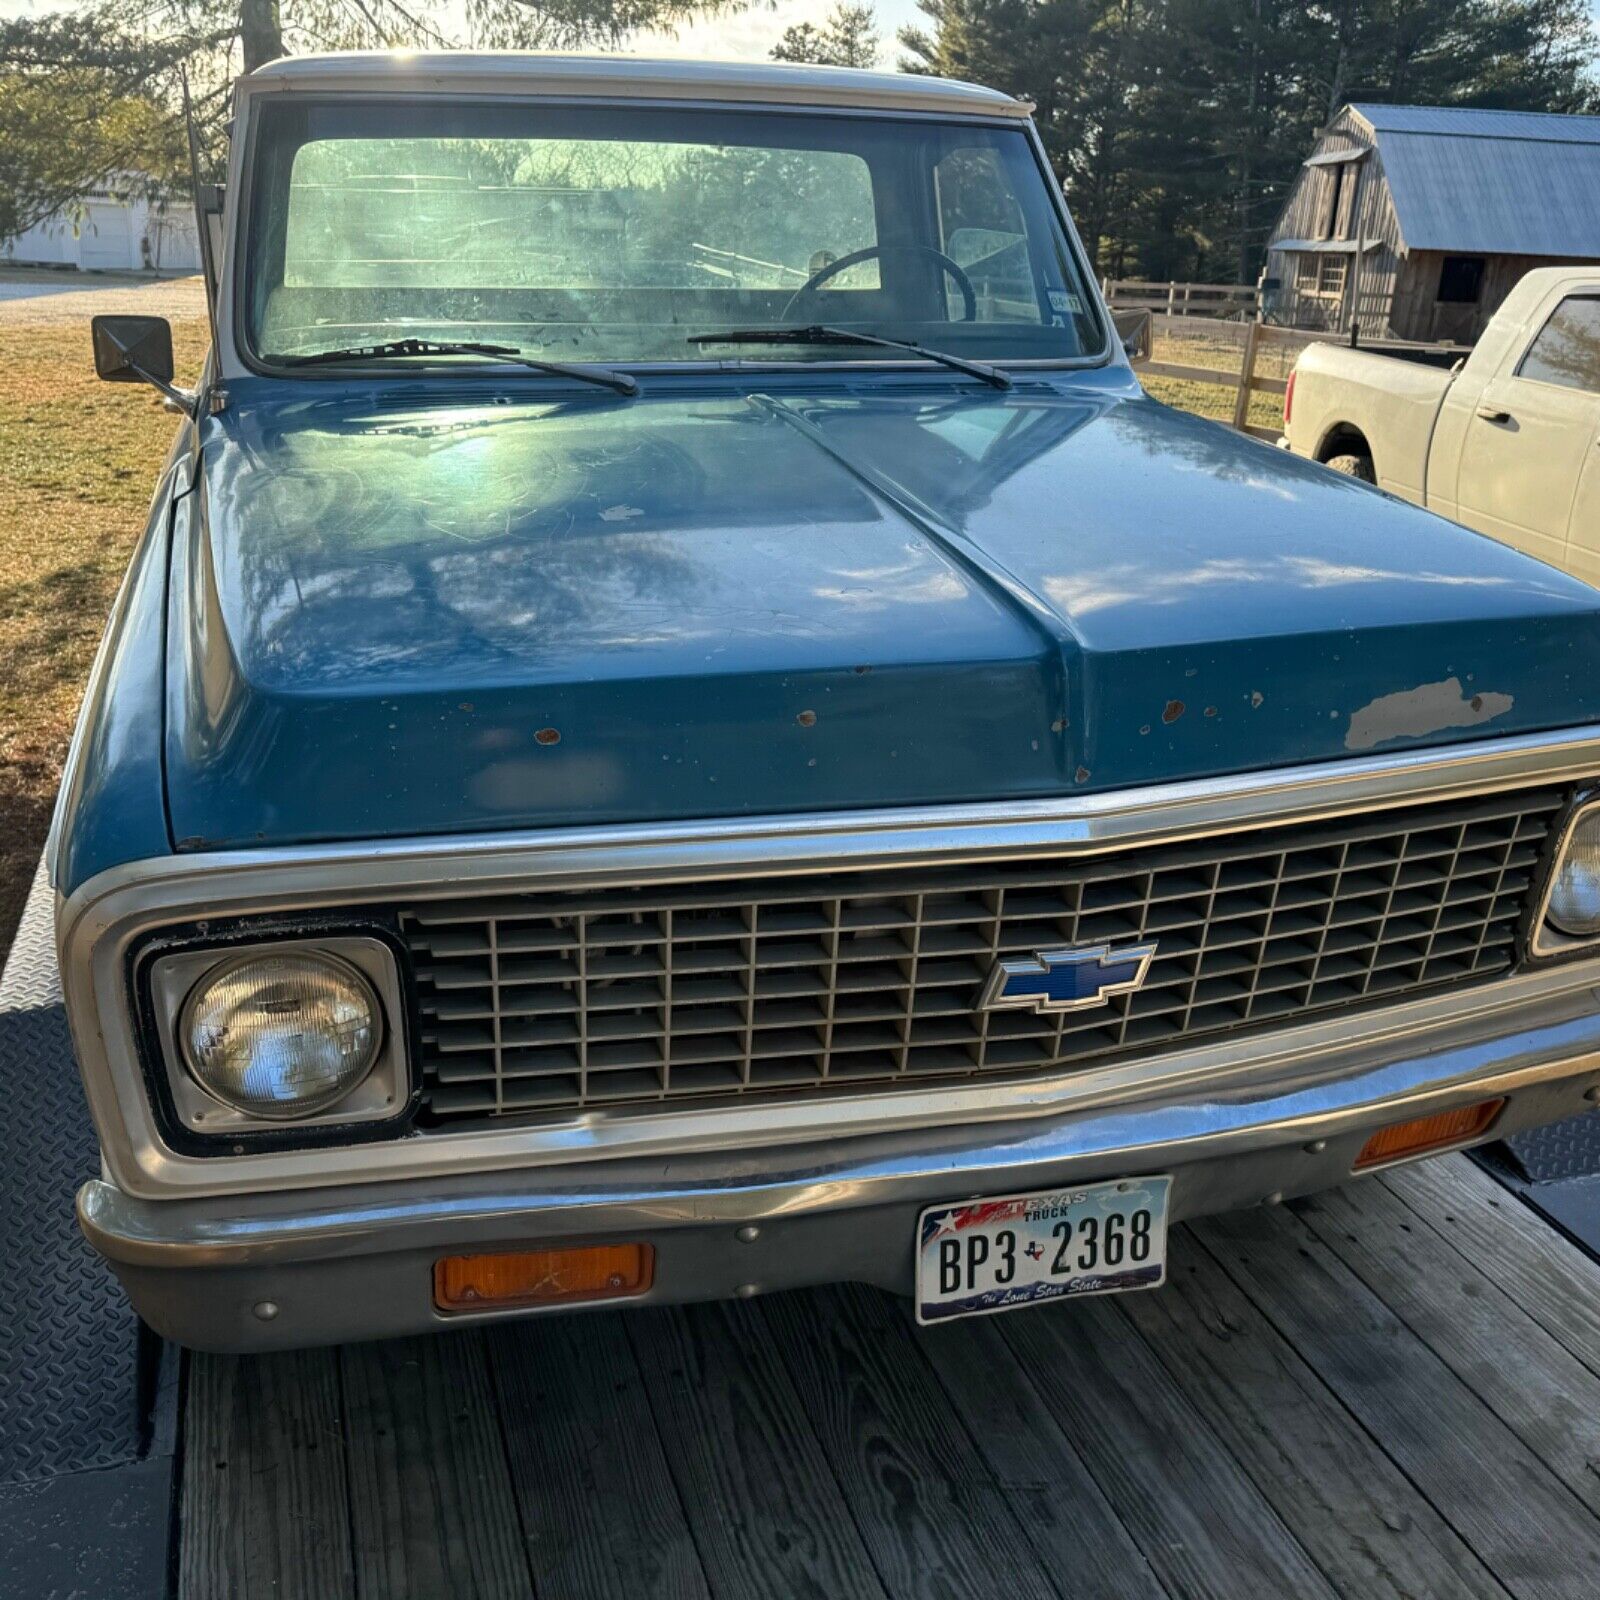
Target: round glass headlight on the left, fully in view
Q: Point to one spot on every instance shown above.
(281, 1036)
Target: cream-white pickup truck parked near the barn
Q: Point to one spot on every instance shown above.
(1506, 442)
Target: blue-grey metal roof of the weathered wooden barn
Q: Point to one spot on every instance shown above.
(1492, 182)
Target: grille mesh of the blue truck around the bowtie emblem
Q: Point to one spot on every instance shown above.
(574, 999)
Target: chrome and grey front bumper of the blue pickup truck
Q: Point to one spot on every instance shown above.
(282, 1270)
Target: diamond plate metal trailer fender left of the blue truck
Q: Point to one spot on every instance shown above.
(68, 1383)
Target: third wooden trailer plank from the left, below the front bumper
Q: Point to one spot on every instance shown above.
(601, 1511)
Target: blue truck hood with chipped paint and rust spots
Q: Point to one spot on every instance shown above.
(398, 612)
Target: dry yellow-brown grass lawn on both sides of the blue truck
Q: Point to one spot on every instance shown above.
(78, 466)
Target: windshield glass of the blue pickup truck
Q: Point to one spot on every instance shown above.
(630, 233)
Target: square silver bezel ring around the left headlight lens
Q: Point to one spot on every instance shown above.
(206, 1121)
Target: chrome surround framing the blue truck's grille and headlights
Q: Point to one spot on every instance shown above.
(105, 916)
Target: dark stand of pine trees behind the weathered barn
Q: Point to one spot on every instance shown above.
(1178, 127)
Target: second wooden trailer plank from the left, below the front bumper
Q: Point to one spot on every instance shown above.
(431, 1505)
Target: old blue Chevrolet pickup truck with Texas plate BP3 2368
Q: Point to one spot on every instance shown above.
(682, 727)
